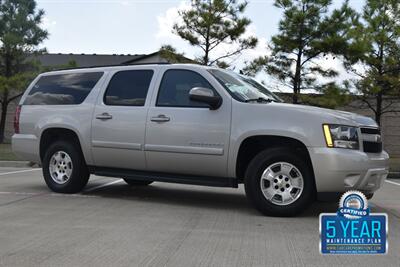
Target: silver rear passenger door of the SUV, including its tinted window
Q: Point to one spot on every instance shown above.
(119, 120)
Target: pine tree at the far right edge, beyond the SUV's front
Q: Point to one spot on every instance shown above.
(375, 57)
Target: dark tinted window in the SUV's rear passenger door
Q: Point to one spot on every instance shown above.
(128, 88)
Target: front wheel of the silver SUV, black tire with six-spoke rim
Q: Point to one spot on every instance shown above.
(286, 204)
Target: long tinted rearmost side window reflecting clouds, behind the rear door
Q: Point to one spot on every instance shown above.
(62, 89)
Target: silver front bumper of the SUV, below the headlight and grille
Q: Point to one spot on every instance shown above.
(339, 170)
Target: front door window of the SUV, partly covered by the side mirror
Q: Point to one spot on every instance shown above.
(175, 87)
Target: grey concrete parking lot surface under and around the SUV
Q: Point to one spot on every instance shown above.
(113, 224)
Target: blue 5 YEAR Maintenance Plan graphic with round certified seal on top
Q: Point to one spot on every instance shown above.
(353, 229)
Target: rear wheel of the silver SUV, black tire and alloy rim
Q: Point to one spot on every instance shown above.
(70, 177)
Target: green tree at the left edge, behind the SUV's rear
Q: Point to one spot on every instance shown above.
(20, 34)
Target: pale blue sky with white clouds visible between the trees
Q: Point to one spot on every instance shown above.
(141, 27)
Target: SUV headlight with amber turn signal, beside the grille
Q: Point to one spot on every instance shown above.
(341, 136)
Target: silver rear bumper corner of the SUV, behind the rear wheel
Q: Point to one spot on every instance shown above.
(26, 146)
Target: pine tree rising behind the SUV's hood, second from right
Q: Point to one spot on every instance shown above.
(308, 33)
